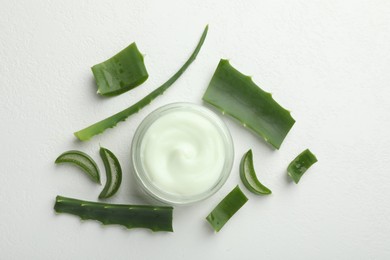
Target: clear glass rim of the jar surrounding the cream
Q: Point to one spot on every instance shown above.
(140, 173)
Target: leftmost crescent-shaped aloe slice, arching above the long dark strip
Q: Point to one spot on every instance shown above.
(82, 161)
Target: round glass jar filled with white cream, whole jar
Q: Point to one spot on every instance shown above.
(182, 153)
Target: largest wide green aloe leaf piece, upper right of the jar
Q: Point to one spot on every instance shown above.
(238, 96)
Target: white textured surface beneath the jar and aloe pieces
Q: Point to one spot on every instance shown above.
(326, 61)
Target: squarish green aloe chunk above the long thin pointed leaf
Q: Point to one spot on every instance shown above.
(120, 73)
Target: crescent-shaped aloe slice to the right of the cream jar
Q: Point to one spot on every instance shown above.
(248, 176)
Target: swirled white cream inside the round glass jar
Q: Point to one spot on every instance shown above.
(183, 153)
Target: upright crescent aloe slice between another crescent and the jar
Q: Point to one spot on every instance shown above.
(113, 173)
